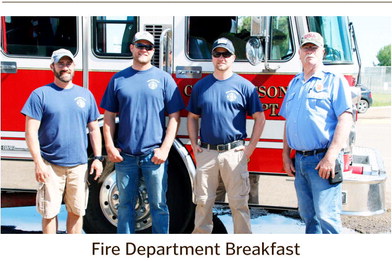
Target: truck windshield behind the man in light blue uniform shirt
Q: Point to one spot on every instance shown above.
(334, 30)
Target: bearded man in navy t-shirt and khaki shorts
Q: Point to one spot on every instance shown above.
(56, 119)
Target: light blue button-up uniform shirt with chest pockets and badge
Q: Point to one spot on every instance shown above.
(312, 108)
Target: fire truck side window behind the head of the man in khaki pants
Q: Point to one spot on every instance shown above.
(204, 30)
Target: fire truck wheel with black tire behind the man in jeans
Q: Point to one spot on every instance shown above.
(101, 213)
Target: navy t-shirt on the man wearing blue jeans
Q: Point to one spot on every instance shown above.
(141, 98)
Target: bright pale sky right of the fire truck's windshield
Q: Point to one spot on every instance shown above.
(373, 33)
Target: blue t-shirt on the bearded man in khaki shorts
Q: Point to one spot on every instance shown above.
(64, 115)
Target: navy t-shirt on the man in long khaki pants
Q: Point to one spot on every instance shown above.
(222, 106)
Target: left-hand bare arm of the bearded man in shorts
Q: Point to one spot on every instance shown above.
(32, 126)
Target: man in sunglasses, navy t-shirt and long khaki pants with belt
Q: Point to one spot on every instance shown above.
(221, 101)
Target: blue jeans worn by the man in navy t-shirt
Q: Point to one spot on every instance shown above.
(155, 178)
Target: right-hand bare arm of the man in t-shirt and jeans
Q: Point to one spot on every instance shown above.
(161, 153)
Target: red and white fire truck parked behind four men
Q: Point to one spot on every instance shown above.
(267, 55)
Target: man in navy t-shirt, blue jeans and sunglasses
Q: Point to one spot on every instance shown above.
(140, 95)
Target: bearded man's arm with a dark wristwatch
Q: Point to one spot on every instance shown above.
(96, 144)
